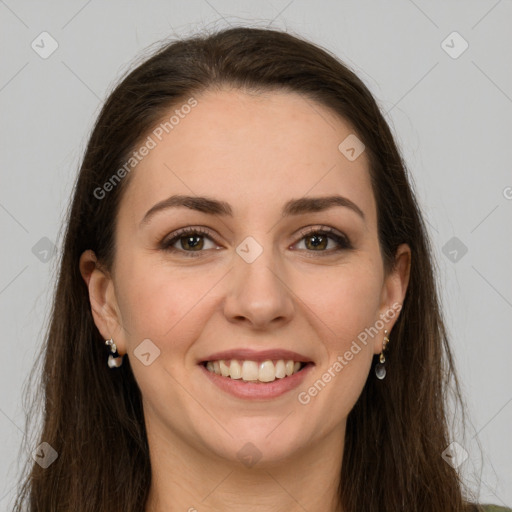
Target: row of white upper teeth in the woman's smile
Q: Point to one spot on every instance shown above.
(265, 371)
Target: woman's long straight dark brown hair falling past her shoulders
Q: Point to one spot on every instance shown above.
(93, 417)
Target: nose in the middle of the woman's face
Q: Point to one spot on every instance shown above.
(258, 292)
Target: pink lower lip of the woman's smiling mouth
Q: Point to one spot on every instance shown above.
(258, 390)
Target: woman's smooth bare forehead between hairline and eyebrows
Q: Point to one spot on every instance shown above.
(254, 151)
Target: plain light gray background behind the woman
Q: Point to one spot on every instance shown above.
(451, 117)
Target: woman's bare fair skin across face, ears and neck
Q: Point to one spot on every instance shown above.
(254, 151)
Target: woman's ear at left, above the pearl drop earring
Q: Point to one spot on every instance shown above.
(103, 301)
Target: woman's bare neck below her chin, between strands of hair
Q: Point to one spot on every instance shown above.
(186, 479)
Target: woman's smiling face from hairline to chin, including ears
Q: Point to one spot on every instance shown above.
(252, 283)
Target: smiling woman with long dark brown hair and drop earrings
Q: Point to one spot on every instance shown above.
(245, 247)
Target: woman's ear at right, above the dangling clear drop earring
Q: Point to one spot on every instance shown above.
(393, 292)
